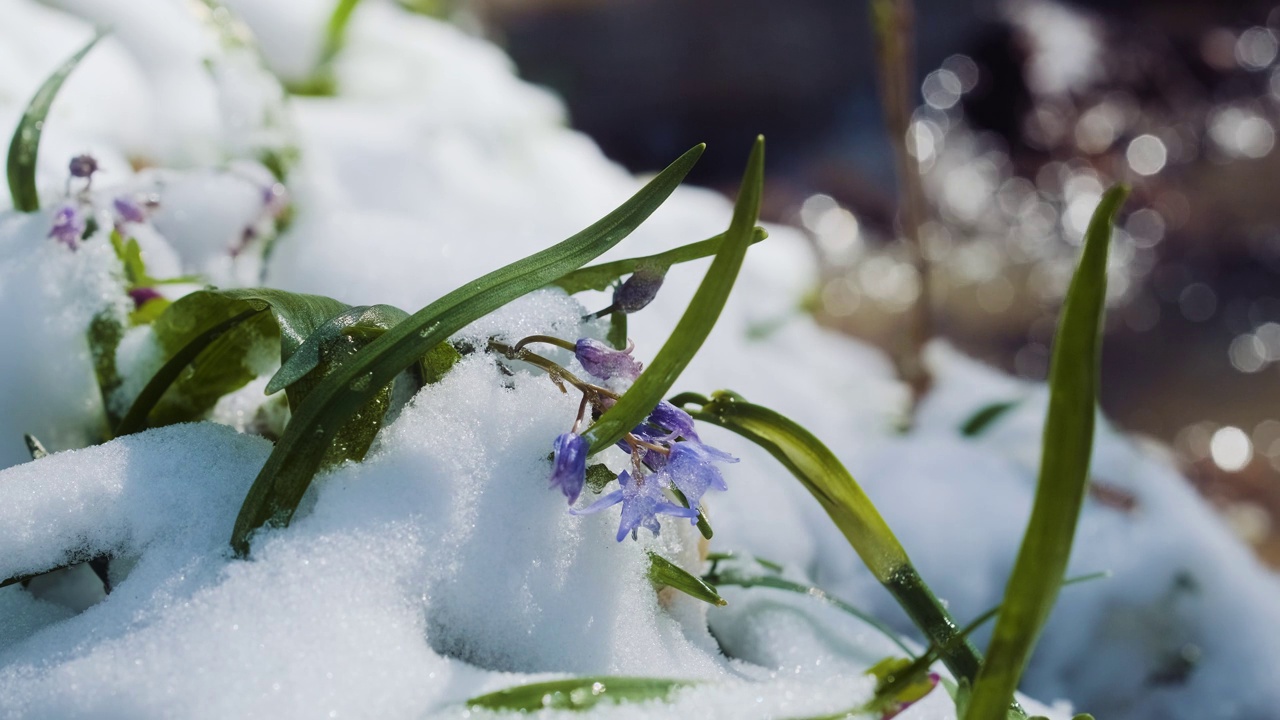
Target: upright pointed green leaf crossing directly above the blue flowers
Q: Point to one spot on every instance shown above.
(697, 323)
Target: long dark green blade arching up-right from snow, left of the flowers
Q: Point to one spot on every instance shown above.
(296, 459)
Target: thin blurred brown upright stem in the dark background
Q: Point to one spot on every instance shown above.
(895, 53)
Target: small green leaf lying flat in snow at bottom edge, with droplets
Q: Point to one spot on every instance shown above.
(578, 694)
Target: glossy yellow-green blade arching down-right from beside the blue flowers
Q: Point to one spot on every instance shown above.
(830, 482)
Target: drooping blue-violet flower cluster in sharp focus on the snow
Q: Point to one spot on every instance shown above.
(669, 459)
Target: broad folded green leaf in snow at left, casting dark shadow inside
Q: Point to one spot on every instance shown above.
(212, 340)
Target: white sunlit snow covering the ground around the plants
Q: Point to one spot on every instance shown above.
(442, 567)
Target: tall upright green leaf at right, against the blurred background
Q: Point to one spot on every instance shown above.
(1064, 473)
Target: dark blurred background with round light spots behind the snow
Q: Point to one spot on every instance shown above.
(1025, 112)
